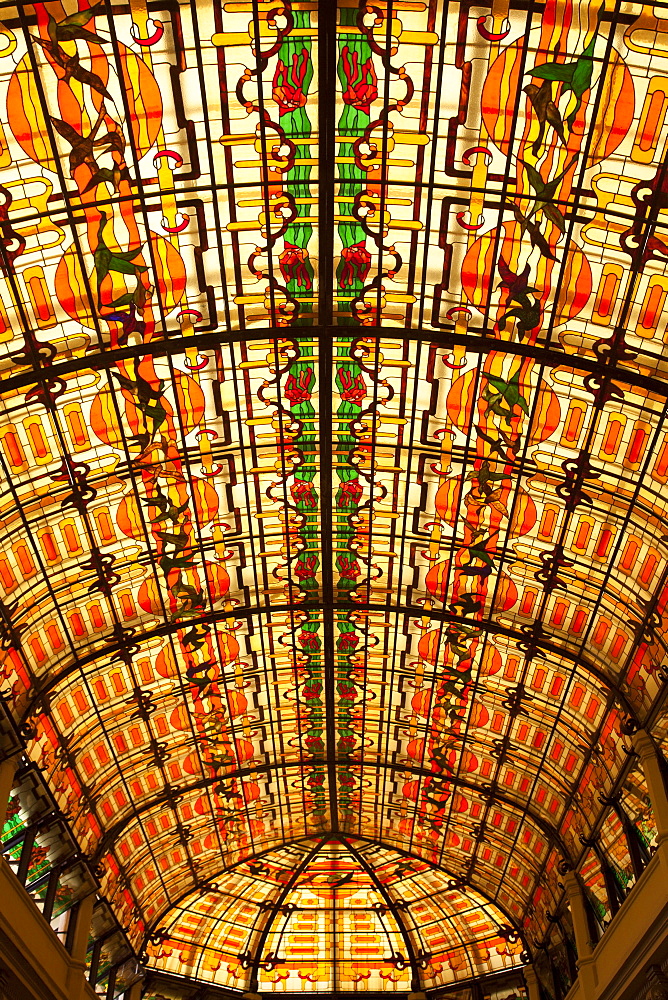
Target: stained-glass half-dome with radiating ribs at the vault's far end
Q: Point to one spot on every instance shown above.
(399, 931)
